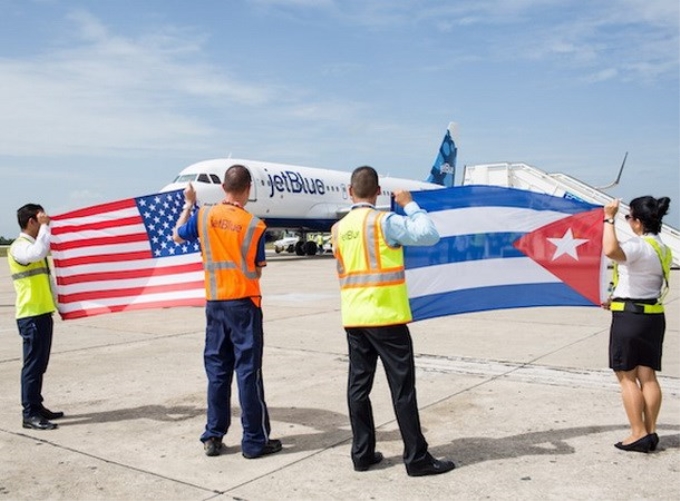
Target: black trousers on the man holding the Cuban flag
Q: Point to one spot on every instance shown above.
(394, 347)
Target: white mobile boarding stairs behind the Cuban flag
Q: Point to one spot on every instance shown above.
(526, 177)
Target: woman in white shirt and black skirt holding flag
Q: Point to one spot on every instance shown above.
(641, 271)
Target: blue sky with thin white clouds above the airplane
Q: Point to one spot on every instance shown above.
(103, 100)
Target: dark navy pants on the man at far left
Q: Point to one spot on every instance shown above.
(37, 343)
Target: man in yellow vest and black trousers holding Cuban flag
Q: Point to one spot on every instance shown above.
(367, 244)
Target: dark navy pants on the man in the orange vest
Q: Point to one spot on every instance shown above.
(234, 343)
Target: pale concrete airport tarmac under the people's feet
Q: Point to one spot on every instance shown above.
(522, 400)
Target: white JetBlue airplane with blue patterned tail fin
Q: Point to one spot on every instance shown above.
(306, 199)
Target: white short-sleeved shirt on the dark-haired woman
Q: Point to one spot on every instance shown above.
(640, 275)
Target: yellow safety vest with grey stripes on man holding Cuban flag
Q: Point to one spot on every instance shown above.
(371, 273)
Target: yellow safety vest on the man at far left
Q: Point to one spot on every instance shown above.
(32, 286)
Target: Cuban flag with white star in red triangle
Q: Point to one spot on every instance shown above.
(505, 248)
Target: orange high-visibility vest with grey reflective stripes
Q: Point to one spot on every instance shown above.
(230, 238)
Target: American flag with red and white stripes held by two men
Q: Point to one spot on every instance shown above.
(120, 256)
